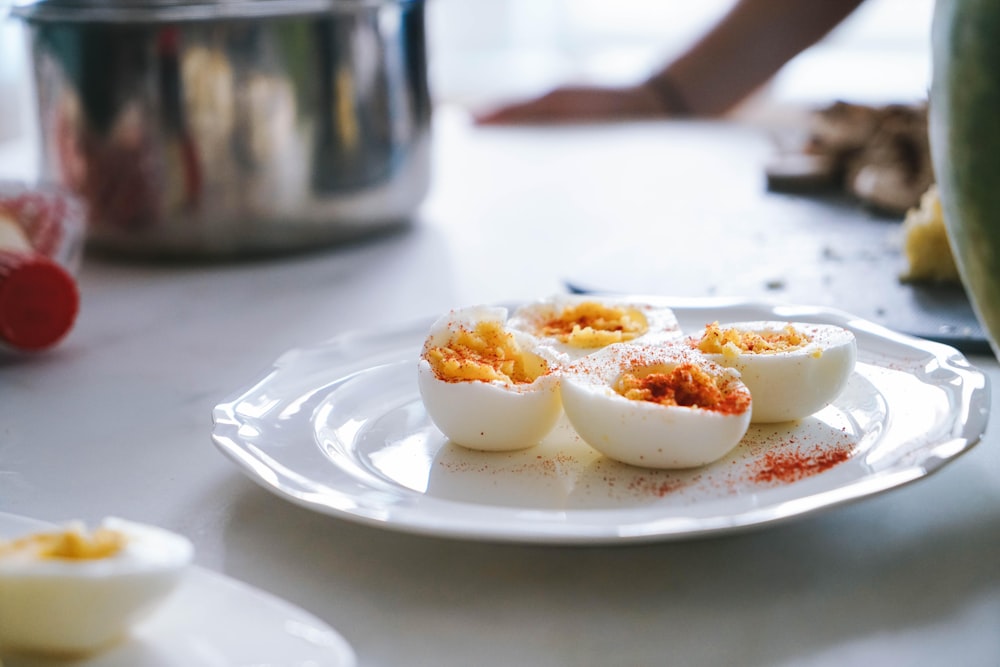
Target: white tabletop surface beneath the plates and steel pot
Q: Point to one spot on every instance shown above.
(117, 421)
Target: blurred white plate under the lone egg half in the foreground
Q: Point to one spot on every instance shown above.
(209, 620)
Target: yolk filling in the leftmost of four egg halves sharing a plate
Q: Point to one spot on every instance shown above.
(487, 353)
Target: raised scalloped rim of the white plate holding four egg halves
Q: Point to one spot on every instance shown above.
(975, 398)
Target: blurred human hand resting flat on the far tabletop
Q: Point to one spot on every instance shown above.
(575, 104)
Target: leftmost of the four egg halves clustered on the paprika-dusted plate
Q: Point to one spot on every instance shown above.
(483, 386)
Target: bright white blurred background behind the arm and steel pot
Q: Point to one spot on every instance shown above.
(483, 52)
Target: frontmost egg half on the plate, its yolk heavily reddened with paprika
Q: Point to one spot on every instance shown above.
(684, 410)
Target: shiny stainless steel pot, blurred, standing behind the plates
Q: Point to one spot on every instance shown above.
(231, 127)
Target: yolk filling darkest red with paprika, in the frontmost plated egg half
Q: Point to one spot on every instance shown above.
(686, 385)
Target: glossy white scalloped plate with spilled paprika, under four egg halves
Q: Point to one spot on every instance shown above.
(340, 428)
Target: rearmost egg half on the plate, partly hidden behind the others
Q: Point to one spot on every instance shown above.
(580, 325)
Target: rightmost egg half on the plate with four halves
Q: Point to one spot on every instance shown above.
(793, 369)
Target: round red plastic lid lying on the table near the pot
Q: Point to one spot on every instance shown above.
(39, 301)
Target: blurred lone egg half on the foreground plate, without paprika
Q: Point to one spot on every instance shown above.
(75, 592)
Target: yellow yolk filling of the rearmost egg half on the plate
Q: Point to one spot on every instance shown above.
(591, 324)
